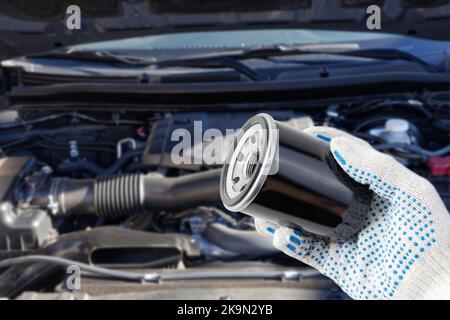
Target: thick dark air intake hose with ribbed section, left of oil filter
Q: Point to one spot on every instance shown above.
(124, 195)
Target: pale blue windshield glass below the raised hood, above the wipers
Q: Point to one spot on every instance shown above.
(179, 45)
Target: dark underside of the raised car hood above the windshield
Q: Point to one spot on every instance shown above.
(28, 27)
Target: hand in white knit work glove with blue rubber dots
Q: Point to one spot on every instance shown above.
(402, 250)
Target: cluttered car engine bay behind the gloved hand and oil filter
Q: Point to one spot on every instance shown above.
(102, 187)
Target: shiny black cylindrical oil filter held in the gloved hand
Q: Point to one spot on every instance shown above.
(279, 174)
